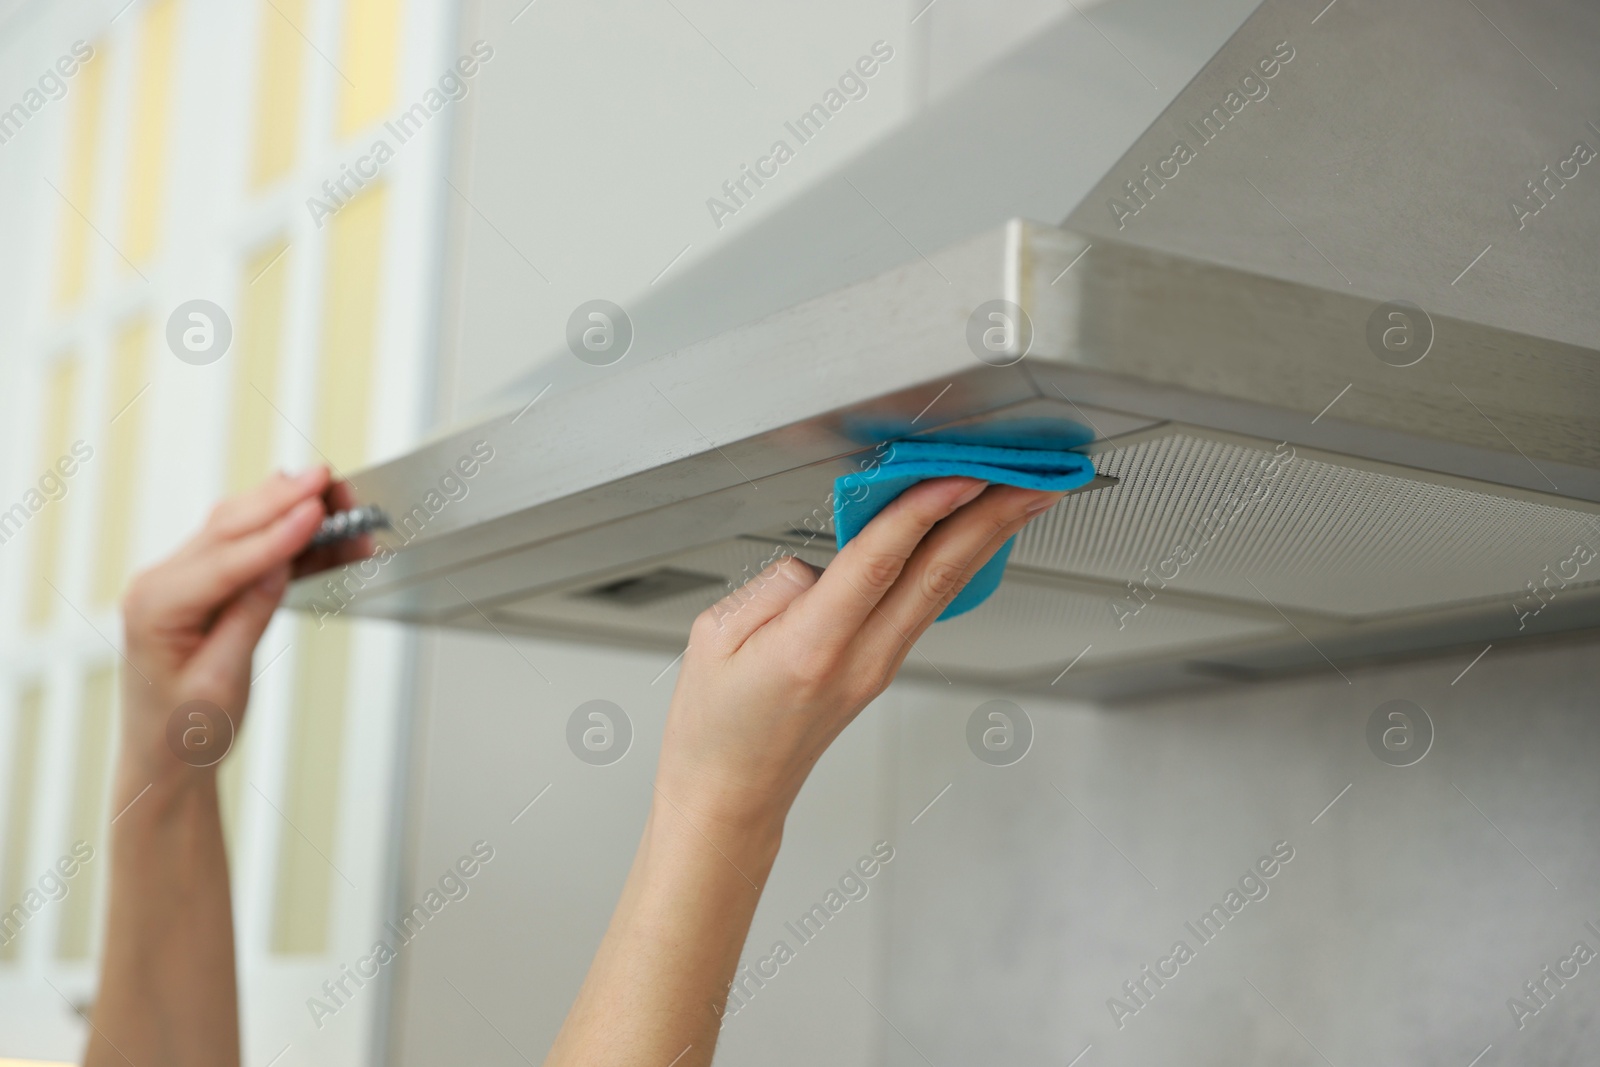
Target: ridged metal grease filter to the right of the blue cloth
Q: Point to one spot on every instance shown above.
(1321, 538)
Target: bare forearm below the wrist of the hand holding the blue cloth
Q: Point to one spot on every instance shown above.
(658, 985)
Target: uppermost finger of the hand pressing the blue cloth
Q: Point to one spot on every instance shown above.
(850, 589)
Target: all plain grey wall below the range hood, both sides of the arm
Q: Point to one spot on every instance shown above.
(1025, 897)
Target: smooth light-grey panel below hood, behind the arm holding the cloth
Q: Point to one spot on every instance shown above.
(518, 948)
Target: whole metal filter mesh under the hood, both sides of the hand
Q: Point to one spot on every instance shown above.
(1220, 535)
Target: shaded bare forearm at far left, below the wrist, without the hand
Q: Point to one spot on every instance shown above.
(167, 991)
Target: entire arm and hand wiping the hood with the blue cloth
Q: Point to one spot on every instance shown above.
(770, 677)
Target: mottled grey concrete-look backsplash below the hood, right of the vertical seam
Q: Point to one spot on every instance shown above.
(1412, 911)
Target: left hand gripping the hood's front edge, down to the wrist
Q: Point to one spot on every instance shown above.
(191, 623)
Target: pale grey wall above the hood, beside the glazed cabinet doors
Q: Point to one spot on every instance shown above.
(596, 138)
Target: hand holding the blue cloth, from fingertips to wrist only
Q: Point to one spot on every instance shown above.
(778, 669)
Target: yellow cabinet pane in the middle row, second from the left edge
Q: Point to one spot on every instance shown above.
(121, 479)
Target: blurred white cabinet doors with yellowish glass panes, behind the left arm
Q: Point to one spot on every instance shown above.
(175, 166)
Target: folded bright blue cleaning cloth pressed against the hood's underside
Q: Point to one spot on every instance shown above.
(862, 495)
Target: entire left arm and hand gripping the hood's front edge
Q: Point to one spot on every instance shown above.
(191, 623)
